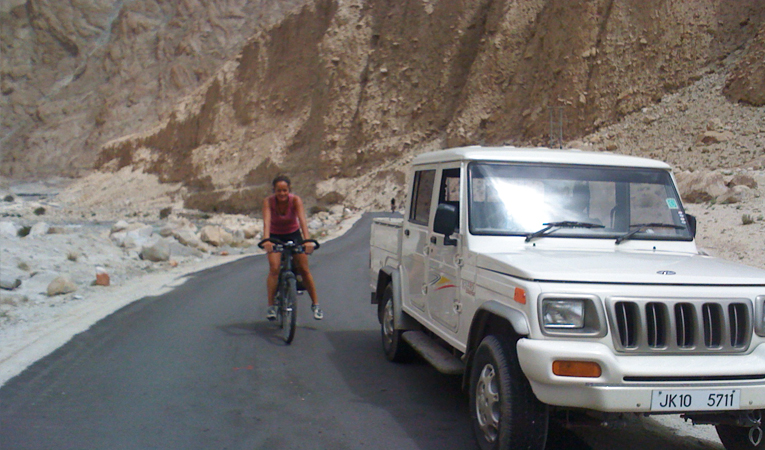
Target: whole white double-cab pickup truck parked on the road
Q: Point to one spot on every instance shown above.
(566, 280)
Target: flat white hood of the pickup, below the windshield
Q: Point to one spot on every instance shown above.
(621, 267)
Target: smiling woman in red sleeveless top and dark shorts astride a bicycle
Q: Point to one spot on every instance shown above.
(284, 219)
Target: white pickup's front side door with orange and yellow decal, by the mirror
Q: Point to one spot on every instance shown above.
(444, 267)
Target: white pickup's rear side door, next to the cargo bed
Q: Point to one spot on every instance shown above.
(414, 244)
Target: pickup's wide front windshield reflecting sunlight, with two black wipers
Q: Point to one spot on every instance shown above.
(521, 199)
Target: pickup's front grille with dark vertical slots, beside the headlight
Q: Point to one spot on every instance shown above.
(681, 326)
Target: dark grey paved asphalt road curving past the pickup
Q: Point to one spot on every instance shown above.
(200, 368)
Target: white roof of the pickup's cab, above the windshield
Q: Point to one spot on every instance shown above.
(537, 155)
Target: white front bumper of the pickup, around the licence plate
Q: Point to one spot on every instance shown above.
(627, 382)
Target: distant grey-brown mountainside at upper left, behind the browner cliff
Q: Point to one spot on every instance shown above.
(75, 75)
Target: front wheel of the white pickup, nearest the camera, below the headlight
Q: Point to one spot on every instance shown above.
(504, 410)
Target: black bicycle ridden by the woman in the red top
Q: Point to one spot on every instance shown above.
(287, 289)
